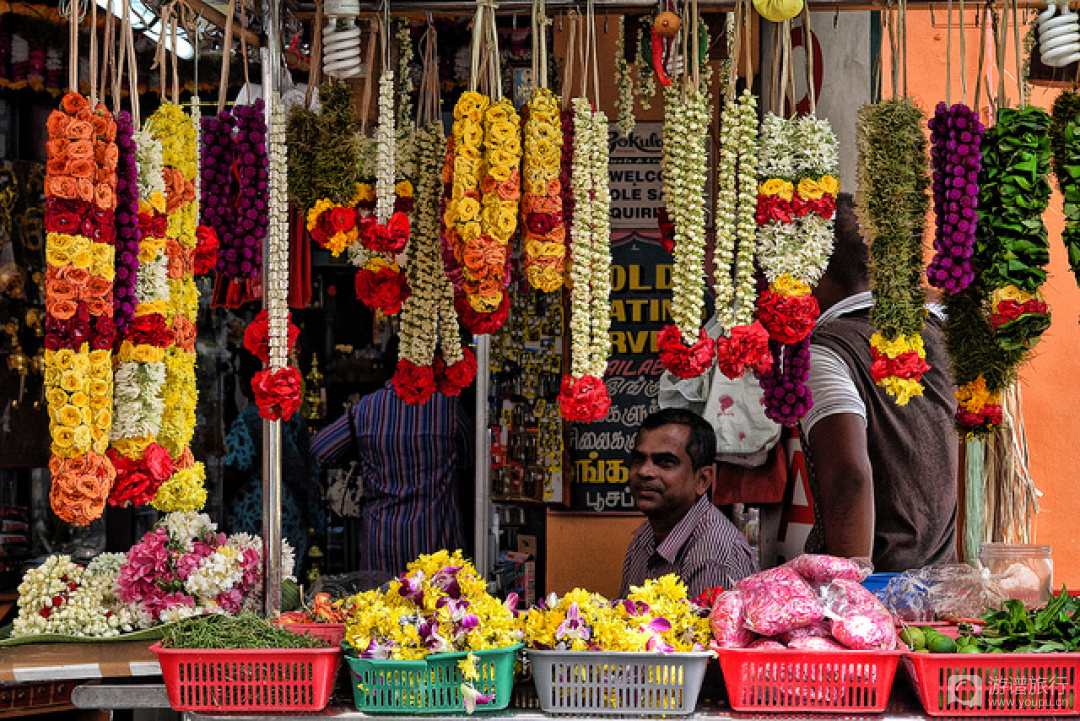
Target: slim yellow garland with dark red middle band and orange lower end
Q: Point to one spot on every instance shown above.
(545, 241)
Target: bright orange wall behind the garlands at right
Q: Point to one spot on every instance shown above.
(1051, 400)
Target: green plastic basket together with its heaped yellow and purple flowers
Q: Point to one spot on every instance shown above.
(434, 642)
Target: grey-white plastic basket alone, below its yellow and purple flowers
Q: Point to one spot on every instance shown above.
(618, 684)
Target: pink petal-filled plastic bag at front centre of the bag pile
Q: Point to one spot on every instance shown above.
(778, 601)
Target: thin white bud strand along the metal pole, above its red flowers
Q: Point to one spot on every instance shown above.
(277, 261)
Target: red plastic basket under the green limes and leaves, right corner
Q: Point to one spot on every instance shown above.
(995, 684)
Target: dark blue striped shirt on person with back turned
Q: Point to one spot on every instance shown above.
(411, 458)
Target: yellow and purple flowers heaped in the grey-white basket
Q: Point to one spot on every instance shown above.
(655, 617)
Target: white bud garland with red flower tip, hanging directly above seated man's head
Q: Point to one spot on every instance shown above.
(686, 350)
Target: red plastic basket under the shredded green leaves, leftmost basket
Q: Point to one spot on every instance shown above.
(249, 679)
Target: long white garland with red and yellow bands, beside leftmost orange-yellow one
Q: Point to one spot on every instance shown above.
(141, 462)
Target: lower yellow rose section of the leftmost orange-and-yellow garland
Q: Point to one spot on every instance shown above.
(79, 396)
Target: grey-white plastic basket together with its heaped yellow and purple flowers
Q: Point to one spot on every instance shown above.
(645, 654)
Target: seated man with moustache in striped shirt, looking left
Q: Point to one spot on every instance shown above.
(671, 471)
